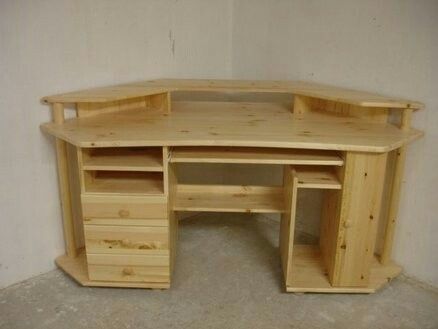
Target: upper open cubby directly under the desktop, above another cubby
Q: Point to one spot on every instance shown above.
(123, 159)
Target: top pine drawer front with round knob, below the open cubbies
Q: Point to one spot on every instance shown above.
(124, 207)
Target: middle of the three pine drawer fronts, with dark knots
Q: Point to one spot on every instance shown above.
(126, 239)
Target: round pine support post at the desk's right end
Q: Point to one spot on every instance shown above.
(395, 190)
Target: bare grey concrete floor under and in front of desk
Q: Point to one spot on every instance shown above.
(228, 276)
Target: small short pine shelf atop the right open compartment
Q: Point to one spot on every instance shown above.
(317, 178)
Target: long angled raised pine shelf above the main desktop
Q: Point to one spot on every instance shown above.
(145, 88)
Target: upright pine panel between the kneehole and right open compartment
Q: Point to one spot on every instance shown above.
(287, 223)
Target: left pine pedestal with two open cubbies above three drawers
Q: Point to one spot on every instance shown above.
(125, 213)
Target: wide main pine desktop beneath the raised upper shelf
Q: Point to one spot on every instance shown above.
(230, 124)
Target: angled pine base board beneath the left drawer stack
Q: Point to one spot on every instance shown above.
(77, 268)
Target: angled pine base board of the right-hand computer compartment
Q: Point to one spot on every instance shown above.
(309, 275)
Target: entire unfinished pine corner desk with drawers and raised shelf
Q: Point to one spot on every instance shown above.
(119, 187)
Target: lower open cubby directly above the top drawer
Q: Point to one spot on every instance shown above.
(121, 182)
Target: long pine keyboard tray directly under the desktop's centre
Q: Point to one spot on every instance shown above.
(254, 156)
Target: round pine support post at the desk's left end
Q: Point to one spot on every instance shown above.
(64, 185)
